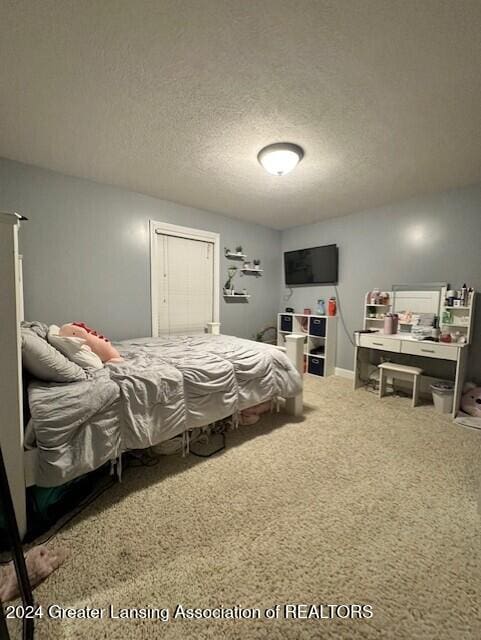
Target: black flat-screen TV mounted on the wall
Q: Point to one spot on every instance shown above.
(317, 265)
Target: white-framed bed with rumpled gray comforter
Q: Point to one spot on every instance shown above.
(163, 387)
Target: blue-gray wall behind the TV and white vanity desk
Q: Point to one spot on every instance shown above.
(436, 238)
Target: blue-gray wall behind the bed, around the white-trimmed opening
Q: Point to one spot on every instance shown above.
(86, 253)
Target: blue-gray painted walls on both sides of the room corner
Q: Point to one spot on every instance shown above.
(86, 252)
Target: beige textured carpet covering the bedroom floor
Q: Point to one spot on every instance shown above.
(363, 501)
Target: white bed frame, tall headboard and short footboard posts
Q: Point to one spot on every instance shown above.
(20, 463)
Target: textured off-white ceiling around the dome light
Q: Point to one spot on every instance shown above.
(175, 98)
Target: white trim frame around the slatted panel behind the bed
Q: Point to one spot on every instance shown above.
(164, 228)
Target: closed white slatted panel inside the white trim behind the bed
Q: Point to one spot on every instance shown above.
(185, 284)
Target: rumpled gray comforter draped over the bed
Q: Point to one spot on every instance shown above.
(162, 387)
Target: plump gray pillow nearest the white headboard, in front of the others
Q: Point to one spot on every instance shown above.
(46, 363)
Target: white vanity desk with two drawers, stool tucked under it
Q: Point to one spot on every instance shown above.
(452, 354)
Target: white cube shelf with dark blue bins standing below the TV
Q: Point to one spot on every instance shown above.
(320, 340)
